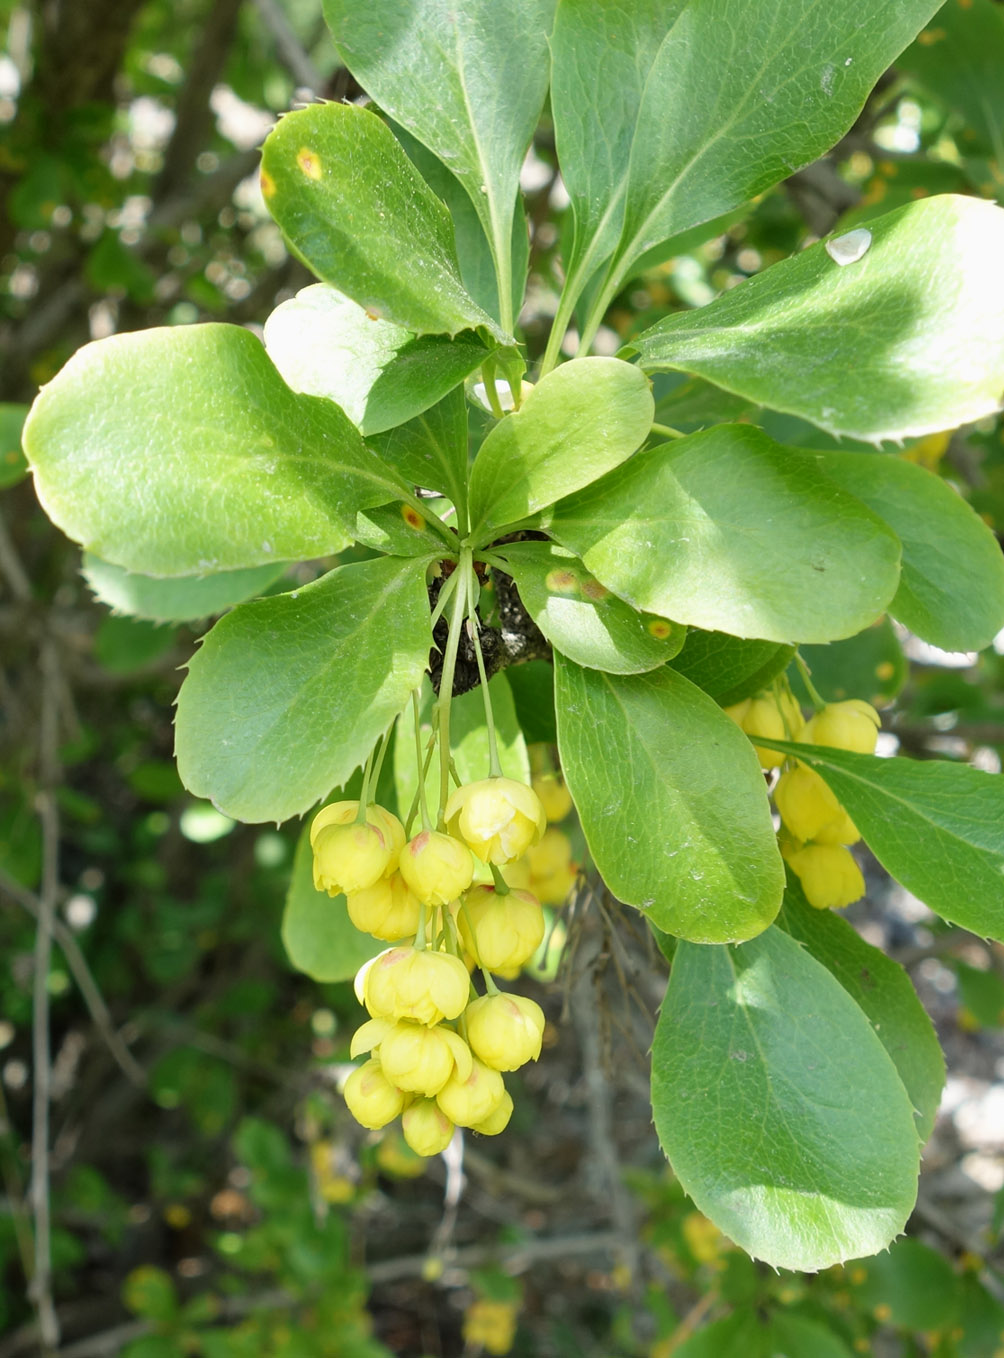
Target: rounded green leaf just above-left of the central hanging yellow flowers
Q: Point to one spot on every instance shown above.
(287, 696)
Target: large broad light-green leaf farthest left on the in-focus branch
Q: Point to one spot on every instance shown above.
(181, 452)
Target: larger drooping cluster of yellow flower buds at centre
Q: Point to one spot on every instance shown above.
(437, 1049)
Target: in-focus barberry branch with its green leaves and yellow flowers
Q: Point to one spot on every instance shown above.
(670, 576)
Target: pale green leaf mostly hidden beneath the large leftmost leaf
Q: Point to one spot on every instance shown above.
(187, 600)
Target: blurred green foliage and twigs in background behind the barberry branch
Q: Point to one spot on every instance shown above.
(210, 1196)
